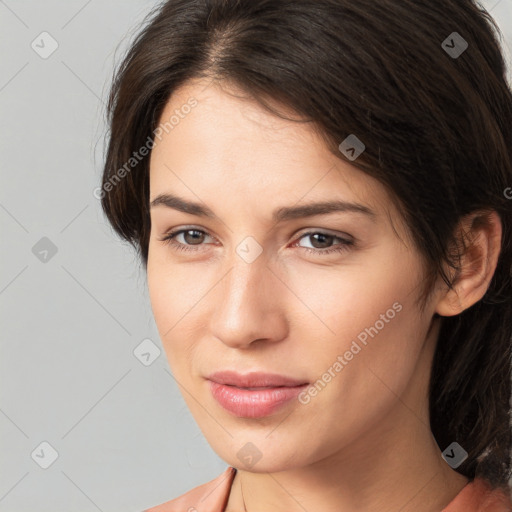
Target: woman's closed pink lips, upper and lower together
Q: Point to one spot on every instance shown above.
(253, 395)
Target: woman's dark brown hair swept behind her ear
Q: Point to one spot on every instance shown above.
(437, 127)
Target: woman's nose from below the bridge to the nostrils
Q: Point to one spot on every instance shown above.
(249, 305)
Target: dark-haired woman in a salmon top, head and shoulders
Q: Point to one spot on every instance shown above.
(319, 193)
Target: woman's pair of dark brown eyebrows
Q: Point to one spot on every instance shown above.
(279, 215)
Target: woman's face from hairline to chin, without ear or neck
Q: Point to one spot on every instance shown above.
(325, 299)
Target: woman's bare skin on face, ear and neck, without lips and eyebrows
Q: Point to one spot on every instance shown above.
(363, 443)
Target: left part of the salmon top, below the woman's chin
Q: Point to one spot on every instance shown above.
(211, 496)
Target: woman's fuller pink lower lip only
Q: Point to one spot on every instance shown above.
(256, 403)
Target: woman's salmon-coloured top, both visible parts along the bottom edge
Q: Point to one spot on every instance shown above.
(476, 496)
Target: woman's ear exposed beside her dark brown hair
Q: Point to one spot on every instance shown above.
(478, 237)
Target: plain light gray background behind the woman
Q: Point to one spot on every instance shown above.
(71, 319)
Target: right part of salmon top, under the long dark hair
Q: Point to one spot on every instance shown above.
(480, 496)
